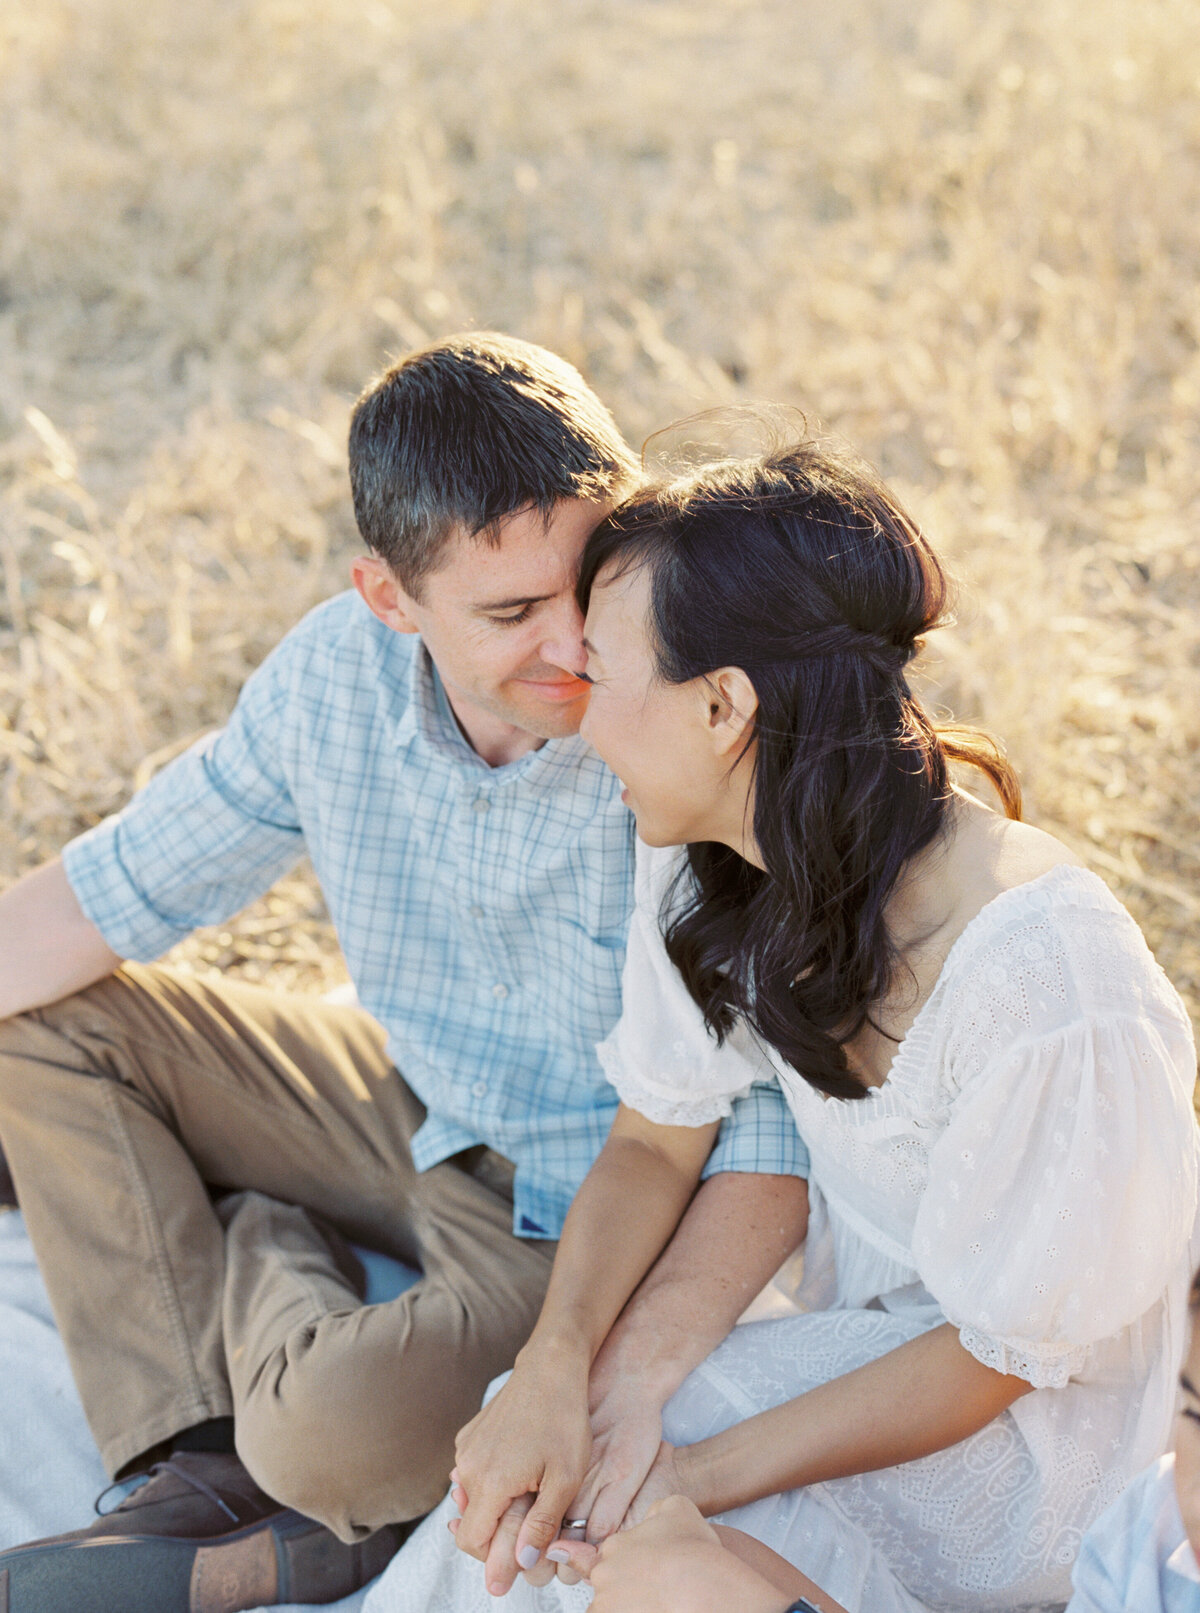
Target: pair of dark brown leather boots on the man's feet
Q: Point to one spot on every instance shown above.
(198, 1538)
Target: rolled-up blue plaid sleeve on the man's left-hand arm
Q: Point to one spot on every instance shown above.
(209, 835)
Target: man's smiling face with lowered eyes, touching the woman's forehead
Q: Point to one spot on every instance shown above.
(502, 625)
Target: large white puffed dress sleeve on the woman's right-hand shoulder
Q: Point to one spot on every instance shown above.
(1062, 1194)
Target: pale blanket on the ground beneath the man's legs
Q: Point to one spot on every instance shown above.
(51, 1472)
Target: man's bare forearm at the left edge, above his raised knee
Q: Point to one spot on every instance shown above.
(48, 946)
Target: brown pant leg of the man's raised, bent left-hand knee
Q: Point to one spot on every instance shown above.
(119, 1106)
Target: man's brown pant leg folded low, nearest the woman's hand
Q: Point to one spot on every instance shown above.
(349, 1412)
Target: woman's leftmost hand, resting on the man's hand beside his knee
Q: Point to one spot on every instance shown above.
(520, 1464)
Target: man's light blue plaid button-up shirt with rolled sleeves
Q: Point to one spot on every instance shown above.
(481, 912)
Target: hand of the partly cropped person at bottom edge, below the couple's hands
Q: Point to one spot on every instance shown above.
(672, 1562)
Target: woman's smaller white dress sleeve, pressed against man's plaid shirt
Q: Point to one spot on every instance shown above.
(660, 1057)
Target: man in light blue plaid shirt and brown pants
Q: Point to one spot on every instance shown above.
(191, 1157)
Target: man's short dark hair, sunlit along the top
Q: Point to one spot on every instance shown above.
(465, 433)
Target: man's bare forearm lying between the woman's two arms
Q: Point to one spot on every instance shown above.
(736, 1235)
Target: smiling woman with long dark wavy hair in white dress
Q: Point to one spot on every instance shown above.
(991, 1073)
